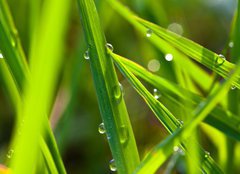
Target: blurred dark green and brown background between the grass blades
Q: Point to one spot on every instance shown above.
(75, 114)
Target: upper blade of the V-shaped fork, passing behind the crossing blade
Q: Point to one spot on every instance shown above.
(218, 118)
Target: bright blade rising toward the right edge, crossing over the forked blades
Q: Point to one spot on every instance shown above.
(164, 148)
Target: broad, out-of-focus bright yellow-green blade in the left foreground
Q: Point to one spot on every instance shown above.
(44, 73)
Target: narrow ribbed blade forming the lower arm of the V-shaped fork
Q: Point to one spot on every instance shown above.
(168, 120)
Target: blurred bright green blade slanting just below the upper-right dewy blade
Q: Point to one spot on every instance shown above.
(179, 58)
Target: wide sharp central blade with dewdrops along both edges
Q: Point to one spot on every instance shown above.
(112, 107)
